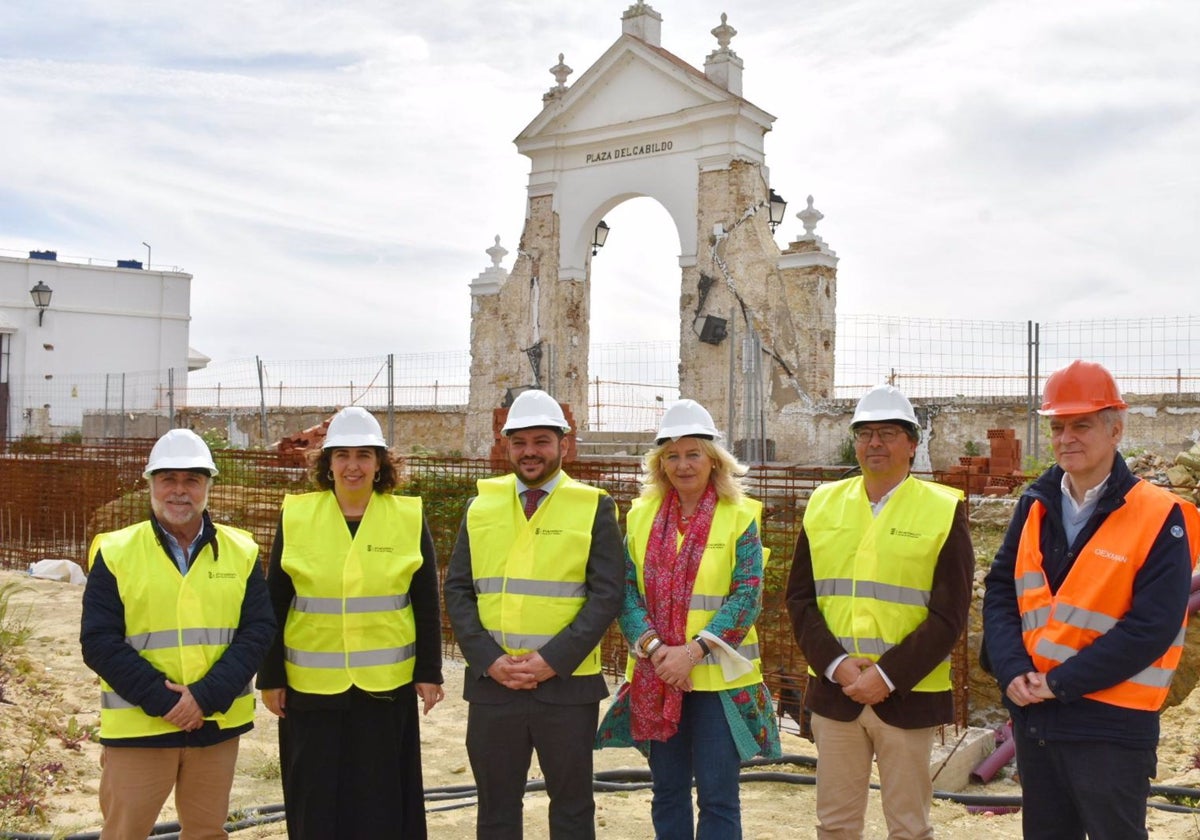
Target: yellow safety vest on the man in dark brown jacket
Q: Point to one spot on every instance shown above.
(874, 574)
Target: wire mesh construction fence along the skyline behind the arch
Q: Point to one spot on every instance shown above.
(631, 383)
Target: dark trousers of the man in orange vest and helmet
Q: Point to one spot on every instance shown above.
(1072, 789)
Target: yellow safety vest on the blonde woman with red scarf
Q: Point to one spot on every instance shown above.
(712, 586)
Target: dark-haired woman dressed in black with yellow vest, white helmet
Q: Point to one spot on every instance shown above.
(353, 579)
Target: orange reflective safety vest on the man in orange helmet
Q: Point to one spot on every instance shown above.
(1099, 592)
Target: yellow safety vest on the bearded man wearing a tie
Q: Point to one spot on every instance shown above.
(531, 575)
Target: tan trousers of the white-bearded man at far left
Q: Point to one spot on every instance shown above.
(135, 784)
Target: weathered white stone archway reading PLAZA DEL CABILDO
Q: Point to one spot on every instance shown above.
(644, 123)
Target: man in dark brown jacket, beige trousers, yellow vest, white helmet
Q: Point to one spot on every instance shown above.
(879, 595)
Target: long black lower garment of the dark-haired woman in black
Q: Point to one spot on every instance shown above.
(355, 772)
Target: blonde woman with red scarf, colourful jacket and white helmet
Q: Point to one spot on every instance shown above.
(694, 701)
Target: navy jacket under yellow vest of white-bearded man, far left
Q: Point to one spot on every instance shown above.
(106, 652)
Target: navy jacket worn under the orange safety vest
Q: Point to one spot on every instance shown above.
(1160, 602)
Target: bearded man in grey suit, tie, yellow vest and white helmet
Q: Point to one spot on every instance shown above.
(536, 579)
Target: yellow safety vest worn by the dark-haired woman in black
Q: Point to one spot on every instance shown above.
(351, 622)
